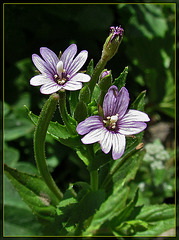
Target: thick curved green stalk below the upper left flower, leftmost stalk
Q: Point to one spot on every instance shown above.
(39, 143)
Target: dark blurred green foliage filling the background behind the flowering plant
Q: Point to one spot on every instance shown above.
(148, 49)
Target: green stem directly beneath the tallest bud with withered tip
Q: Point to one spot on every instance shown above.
(97, 71)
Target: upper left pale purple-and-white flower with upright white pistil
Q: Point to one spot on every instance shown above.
(59, 74)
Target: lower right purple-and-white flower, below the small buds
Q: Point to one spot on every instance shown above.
(117, 122)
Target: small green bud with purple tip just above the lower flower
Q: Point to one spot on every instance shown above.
(105, 80)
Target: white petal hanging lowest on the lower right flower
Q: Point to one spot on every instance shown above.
(119, 143)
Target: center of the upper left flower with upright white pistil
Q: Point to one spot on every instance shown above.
(61, 77)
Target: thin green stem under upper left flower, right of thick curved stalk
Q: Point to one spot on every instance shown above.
(64, 113)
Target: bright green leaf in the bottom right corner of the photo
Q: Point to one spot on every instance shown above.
(160, 218)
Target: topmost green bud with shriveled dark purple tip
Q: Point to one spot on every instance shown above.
(112, 43)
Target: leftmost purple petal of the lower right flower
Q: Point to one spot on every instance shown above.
(89, 124)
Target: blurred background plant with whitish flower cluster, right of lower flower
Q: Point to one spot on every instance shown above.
(156, 175)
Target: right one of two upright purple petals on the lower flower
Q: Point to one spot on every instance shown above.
(122, 102)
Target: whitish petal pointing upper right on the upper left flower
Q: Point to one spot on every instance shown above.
(78, 62)
